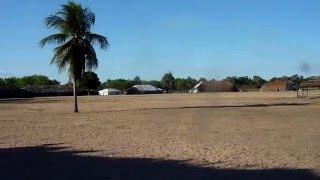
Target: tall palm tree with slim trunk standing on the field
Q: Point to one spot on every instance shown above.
(74, 52)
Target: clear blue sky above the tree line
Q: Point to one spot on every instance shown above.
(198, 38)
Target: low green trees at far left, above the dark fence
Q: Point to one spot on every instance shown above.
(33, 80)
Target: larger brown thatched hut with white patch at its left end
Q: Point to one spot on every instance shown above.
(214, 86)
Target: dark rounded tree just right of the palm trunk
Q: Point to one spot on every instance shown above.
(90, 81)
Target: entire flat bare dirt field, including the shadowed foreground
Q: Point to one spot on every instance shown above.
(252, 135)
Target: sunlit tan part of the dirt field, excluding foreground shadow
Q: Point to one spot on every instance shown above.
(253, 130)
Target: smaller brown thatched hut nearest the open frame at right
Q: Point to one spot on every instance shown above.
(278, 85)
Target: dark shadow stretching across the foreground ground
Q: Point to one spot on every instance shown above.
(52, 162)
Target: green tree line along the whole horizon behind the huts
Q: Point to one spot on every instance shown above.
(168, 82)
